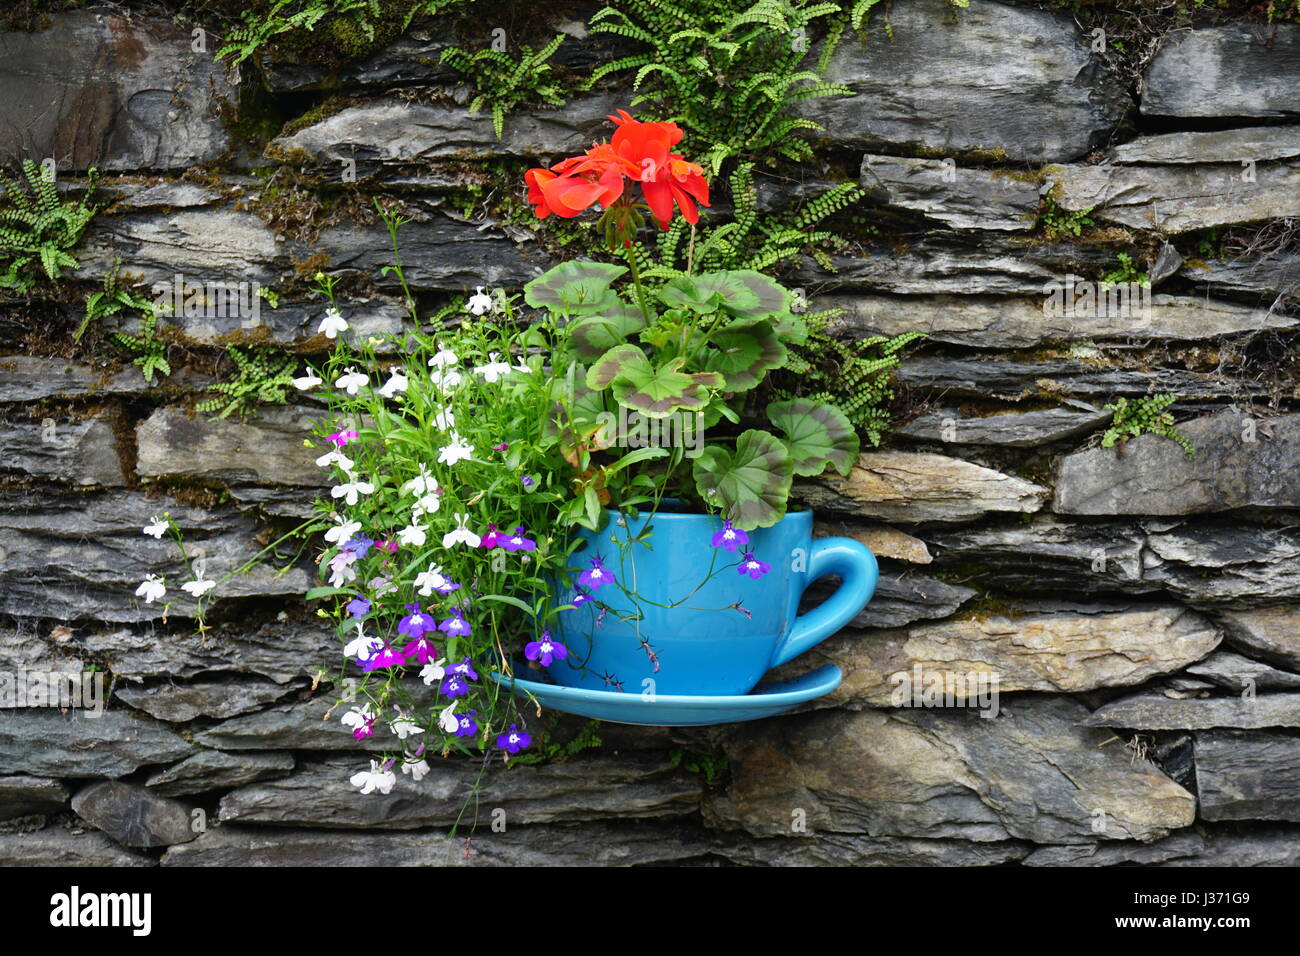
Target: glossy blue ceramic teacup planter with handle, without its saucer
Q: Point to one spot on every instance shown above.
(700, 620)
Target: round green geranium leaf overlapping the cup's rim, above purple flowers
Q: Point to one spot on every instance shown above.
(751, 486)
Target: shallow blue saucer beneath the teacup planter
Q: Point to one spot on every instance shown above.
(665, 711)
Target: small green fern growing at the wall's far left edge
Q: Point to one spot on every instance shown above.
(38, 231)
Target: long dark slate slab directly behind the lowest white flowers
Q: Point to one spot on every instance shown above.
(319, 794)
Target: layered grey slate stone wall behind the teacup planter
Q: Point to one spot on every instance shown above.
(1139, 608)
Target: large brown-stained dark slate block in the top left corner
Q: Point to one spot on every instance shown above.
(97, 89)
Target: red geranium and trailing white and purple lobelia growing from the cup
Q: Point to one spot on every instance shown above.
(462, 461)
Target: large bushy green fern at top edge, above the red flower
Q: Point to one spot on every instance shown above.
(729, 71)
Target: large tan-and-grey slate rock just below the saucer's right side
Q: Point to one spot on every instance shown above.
(1029, 775)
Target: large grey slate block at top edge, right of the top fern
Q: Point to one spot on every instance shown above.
(1009, 81)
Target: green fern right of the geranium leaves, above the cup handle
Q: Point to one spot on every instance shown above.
(856, 377)
